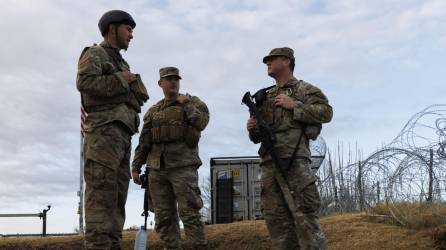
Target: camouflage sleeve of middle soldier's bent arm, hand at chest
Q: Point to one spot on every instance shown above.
(197, 113)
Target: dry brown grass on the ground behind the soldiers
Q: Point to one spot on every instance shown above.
(346, 231)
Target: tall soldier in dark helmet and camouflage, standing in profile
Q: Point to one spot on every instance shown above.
(112, 96)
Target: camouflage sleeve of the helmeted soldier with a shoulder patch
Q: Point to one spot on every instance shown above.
(98, 77)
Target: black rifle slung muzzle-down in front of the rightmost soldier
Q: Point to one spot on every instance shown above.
(268, 139)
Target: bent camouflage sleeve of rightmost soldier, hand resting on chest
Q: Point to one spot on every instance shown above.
(314, 108)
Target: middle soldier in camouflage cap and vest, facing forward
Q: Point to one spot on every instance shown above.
(168, 144)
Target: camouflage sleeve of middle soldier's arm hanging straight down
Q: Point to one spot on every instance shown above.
(145, 144)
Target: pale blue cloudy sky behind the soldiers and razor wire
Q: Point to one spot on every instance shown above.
(378, 62)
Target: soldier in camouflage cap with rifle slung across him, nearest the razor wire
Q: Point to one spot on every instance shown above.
(291, 107)
